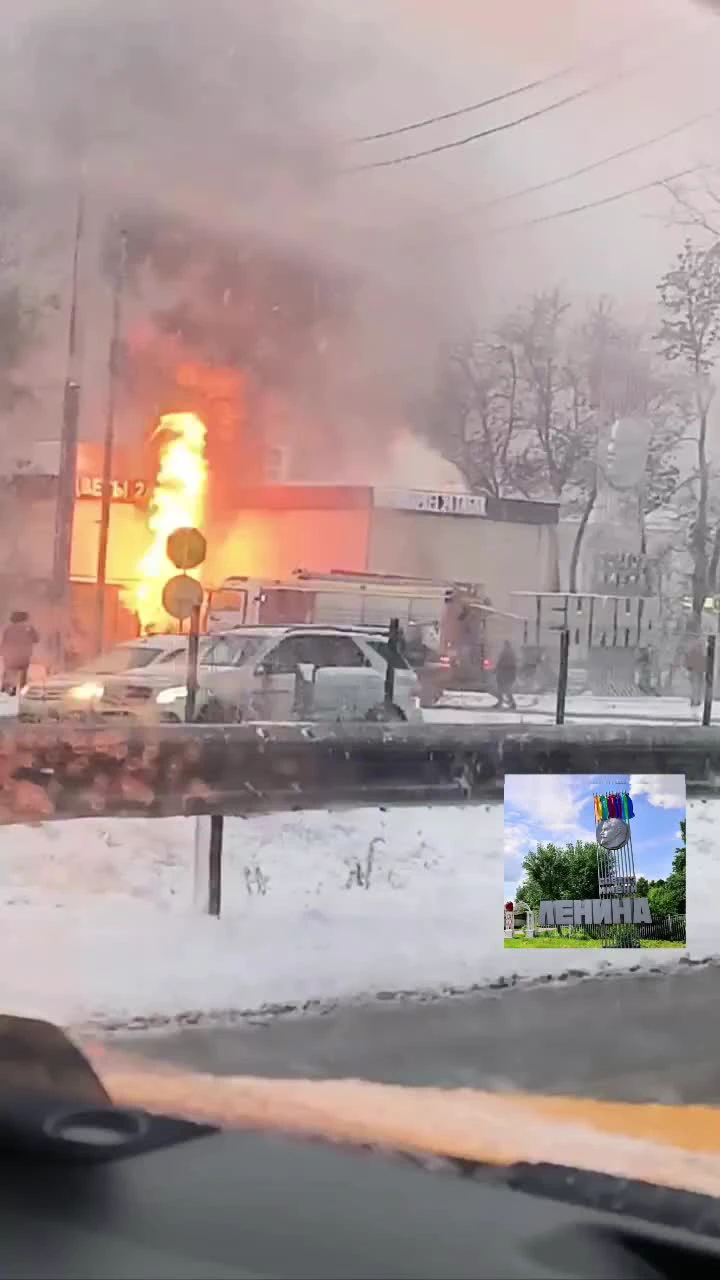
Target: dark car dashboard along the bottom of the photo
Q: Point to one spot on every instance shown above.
(101, 1192)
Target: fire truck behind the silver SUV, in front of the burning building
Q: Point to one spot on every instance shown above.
(450, 632)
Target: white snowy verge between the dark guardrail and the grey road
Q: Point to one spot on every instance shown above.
(98, 918)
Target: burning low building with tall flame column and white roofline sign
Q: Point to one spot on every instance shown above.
(276, 529)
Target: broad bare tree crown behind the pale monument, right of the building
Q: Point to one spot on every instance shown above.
(520, 410)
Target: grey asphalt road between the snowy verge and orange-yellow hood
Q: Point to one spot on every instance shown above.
(646, 1037)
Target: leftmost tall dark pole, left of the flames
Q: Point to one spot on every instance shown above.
(67, 474)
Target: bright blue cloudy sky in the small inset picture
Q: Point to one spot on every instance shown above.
(543, 808)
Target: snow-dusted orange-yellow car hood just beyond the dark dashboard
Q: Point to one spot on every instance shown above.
(672, 1146)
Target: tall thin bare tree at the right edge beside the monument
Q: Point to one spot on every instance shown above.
(690, 335)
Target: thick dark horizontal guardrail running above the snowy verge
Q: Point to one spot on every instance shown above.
(78, 772)
